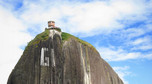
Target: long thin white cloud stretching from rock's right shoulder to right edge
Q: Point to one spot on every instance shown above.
(114, 54)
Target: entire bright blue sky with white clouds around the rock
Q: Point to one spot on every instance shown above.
(121, 30)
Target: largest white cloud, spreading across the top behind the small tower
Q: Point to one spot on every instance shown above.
(85, 19)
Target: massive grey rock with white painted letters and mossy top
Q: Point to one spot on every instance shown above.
(54, 59)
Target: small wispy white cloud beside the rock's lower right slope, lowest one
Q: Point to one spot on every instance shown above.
(122, 72)
